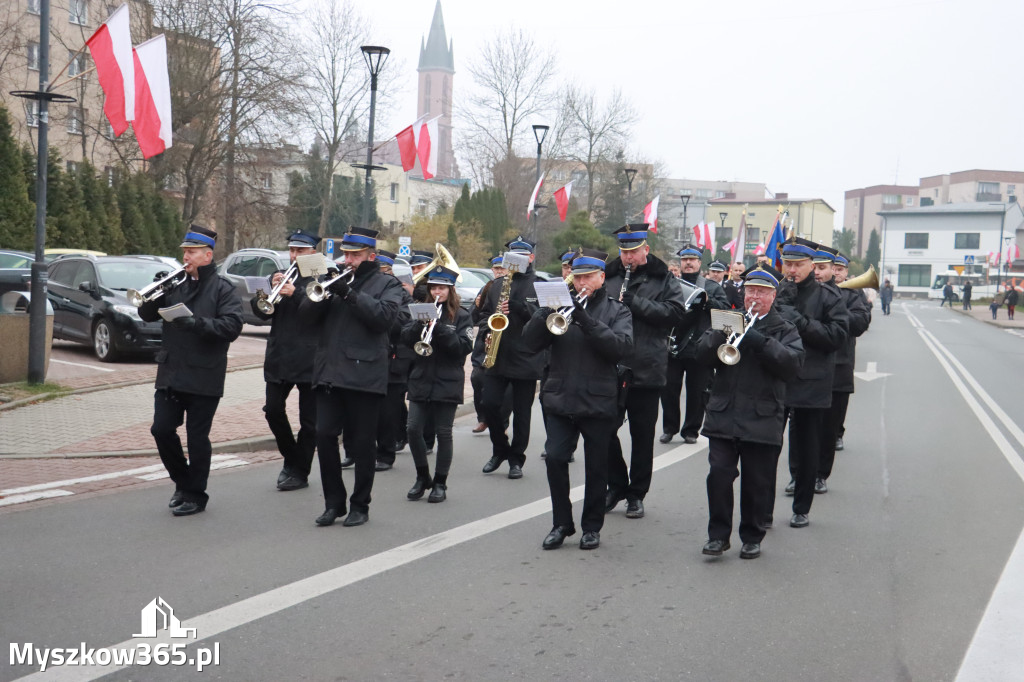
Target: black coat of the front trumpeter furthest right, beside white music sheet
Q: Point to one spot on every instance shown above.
(748, 400)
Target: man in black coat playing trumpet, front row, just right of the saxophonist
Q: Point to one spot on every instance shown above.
(581, 395)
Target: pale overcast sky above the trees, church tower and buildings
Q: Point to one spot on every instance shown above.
(809, 98)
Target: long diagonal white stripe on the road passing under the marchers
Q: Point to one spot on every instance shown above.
(259, 607)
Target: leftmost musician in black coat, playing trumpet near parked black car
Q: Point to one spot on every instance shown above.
(192, 364)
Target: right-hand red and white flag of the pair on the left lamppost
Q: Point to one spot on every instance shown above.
(153, 98)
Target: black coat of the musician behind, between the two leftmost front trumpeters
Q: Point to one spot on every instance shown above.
(292, 344)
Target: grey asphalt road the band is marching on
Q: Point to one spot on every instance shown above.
(890, 582)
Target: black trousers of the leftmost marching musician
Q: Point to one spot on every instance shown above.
(170, 410)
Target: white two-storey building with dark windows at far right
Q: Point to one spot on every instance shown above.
(921, 243)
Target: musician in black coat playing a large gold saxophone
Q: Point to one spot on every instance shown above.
(516, 366)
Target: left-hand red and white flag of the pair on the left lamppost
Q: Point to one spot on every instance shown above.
(111, 51)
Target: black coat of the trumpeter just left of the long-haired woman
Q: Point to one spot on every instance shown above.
(353, 349)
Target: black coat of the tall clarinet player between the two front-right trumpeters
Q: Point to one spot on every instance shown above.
(658, 306)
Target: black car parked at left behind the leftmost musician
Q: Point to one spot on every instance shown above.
(89, 295)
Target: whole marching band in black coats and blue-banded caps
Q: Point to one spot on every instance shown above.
(759, 352)
